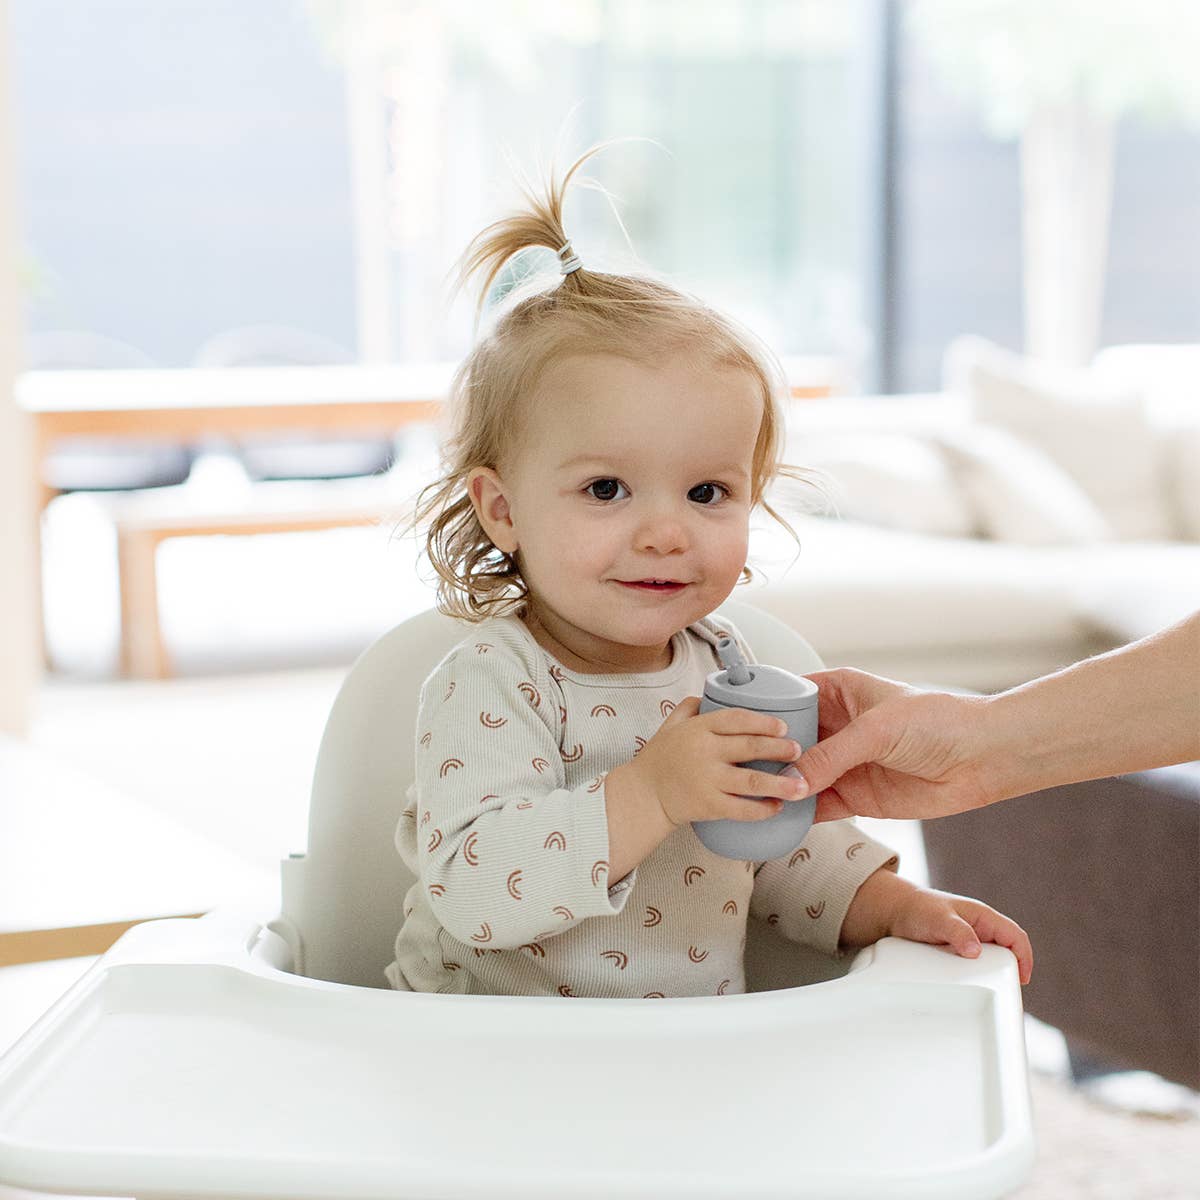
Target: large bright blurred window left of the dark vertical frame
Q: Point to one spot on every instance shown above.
(196, 167)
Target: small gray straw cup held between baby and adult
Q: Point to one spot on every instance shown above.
(773, 691)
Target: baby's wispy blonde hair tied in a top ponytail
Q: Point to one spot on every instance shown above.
(583, 313)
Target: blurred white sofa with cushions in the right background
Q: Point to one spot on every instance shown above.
(1011, 525)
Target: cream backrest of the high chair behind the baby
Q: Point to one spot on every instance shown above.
(344, 901)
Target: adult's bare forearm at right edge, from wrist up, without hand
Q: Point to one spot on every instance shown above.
(1133, 709)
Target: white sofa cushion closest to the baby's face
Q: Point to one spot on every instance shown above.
(897, 481)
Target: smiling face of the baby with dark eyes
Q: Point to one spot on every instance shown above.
(631, 502)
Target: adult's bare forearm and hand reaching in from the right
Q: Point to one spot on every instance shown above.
(893, 752)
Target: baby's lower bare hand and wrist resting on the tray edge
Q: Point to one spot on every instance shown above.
(890, 905)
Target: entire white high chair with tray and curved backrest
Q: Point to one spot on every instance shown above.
(230, 1058)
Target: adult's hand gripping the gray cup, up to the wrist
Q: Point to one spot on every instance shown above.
(890, 751)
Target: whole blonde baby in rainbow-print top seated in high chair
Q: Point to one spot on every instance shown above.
(611, 440)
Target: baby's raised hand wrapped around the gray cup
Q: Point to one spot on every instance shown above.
(692, 765)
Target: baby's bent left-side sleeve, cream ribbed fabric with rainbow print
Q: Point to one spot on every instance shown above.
(505, 850)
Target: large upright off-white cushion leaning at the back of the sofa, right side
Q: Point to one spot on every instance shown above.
(1099, 435)
